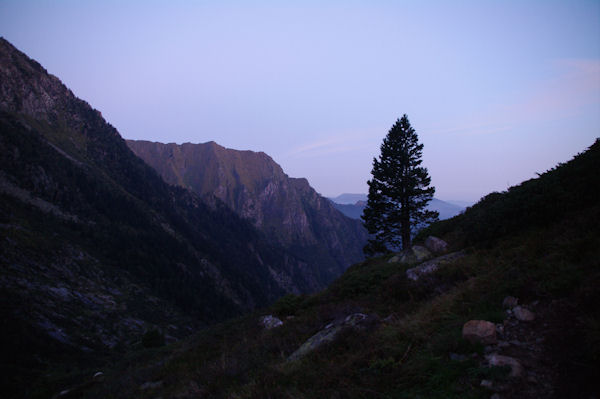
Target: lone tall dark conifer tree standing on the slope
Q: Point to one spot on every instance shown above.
(398, 191)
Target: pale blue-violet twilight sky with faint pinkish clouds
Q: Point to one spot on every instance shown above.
(496, 90)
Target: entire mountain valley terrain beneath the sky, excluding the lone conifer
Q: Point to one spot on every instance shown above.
(138, 269)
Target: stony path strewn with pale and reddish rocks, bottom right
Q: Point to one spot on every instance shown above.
(531, 341)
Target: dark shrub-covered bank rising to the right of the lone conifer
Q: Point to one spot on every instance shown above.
(568, 187)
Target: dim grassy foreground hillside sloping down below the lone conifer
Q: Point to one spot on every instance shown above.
(552, 256)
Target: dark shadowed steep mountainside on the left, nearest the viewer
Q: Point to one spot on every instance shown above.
(96, 249)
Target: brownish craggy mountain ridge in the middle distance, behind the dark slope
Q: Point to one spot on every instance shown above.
(288, 210)
